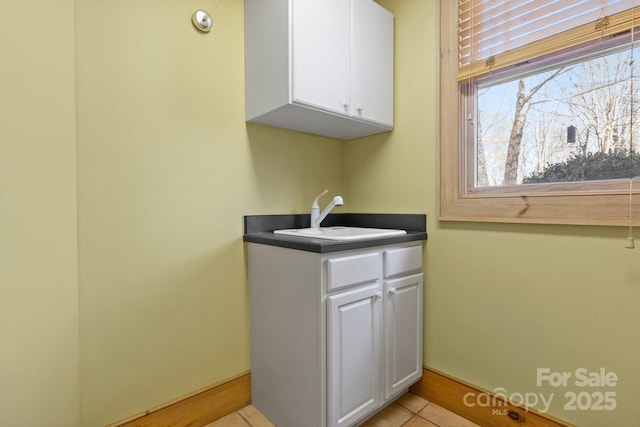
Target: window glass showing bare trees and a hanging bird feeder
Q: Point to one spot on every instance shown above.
(562, 123)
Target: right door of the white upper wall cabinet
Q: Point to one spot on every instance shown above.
(372, 62)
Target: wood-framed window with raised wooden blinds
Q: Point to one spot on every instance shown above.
(547, 126)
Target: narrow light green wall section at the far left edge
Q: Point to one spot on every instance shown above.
(38, 258)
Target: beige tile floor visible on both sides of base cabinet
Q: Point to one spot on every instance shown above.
(409, 410)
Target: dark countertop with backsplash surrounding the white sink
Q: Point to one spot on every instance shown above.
(259, 229)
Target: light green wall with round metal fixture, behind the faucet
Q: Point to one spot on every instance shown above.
(167, 167)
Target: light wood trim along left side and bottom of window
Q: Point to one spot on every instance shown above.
(583, 203)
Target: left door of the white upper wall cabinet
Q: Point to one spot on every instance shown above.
(321, 54)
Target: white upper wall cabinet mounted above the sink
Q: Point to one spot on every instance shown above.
(319, 66)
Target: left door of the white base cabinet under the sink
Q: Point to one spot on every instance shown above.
(353, 340)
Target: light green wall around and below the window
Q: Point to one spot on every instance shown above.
(500, 300)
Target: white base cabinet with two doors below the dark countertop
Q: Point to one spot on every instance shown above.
(334, 337)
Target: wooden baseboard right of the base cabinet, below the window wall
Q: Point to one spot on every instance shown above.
(449, 392)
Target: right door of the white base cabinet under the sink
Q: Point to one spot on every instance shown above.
(403, 332)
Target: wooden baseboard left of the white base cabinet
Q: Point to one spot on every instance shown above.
(197, 409)
